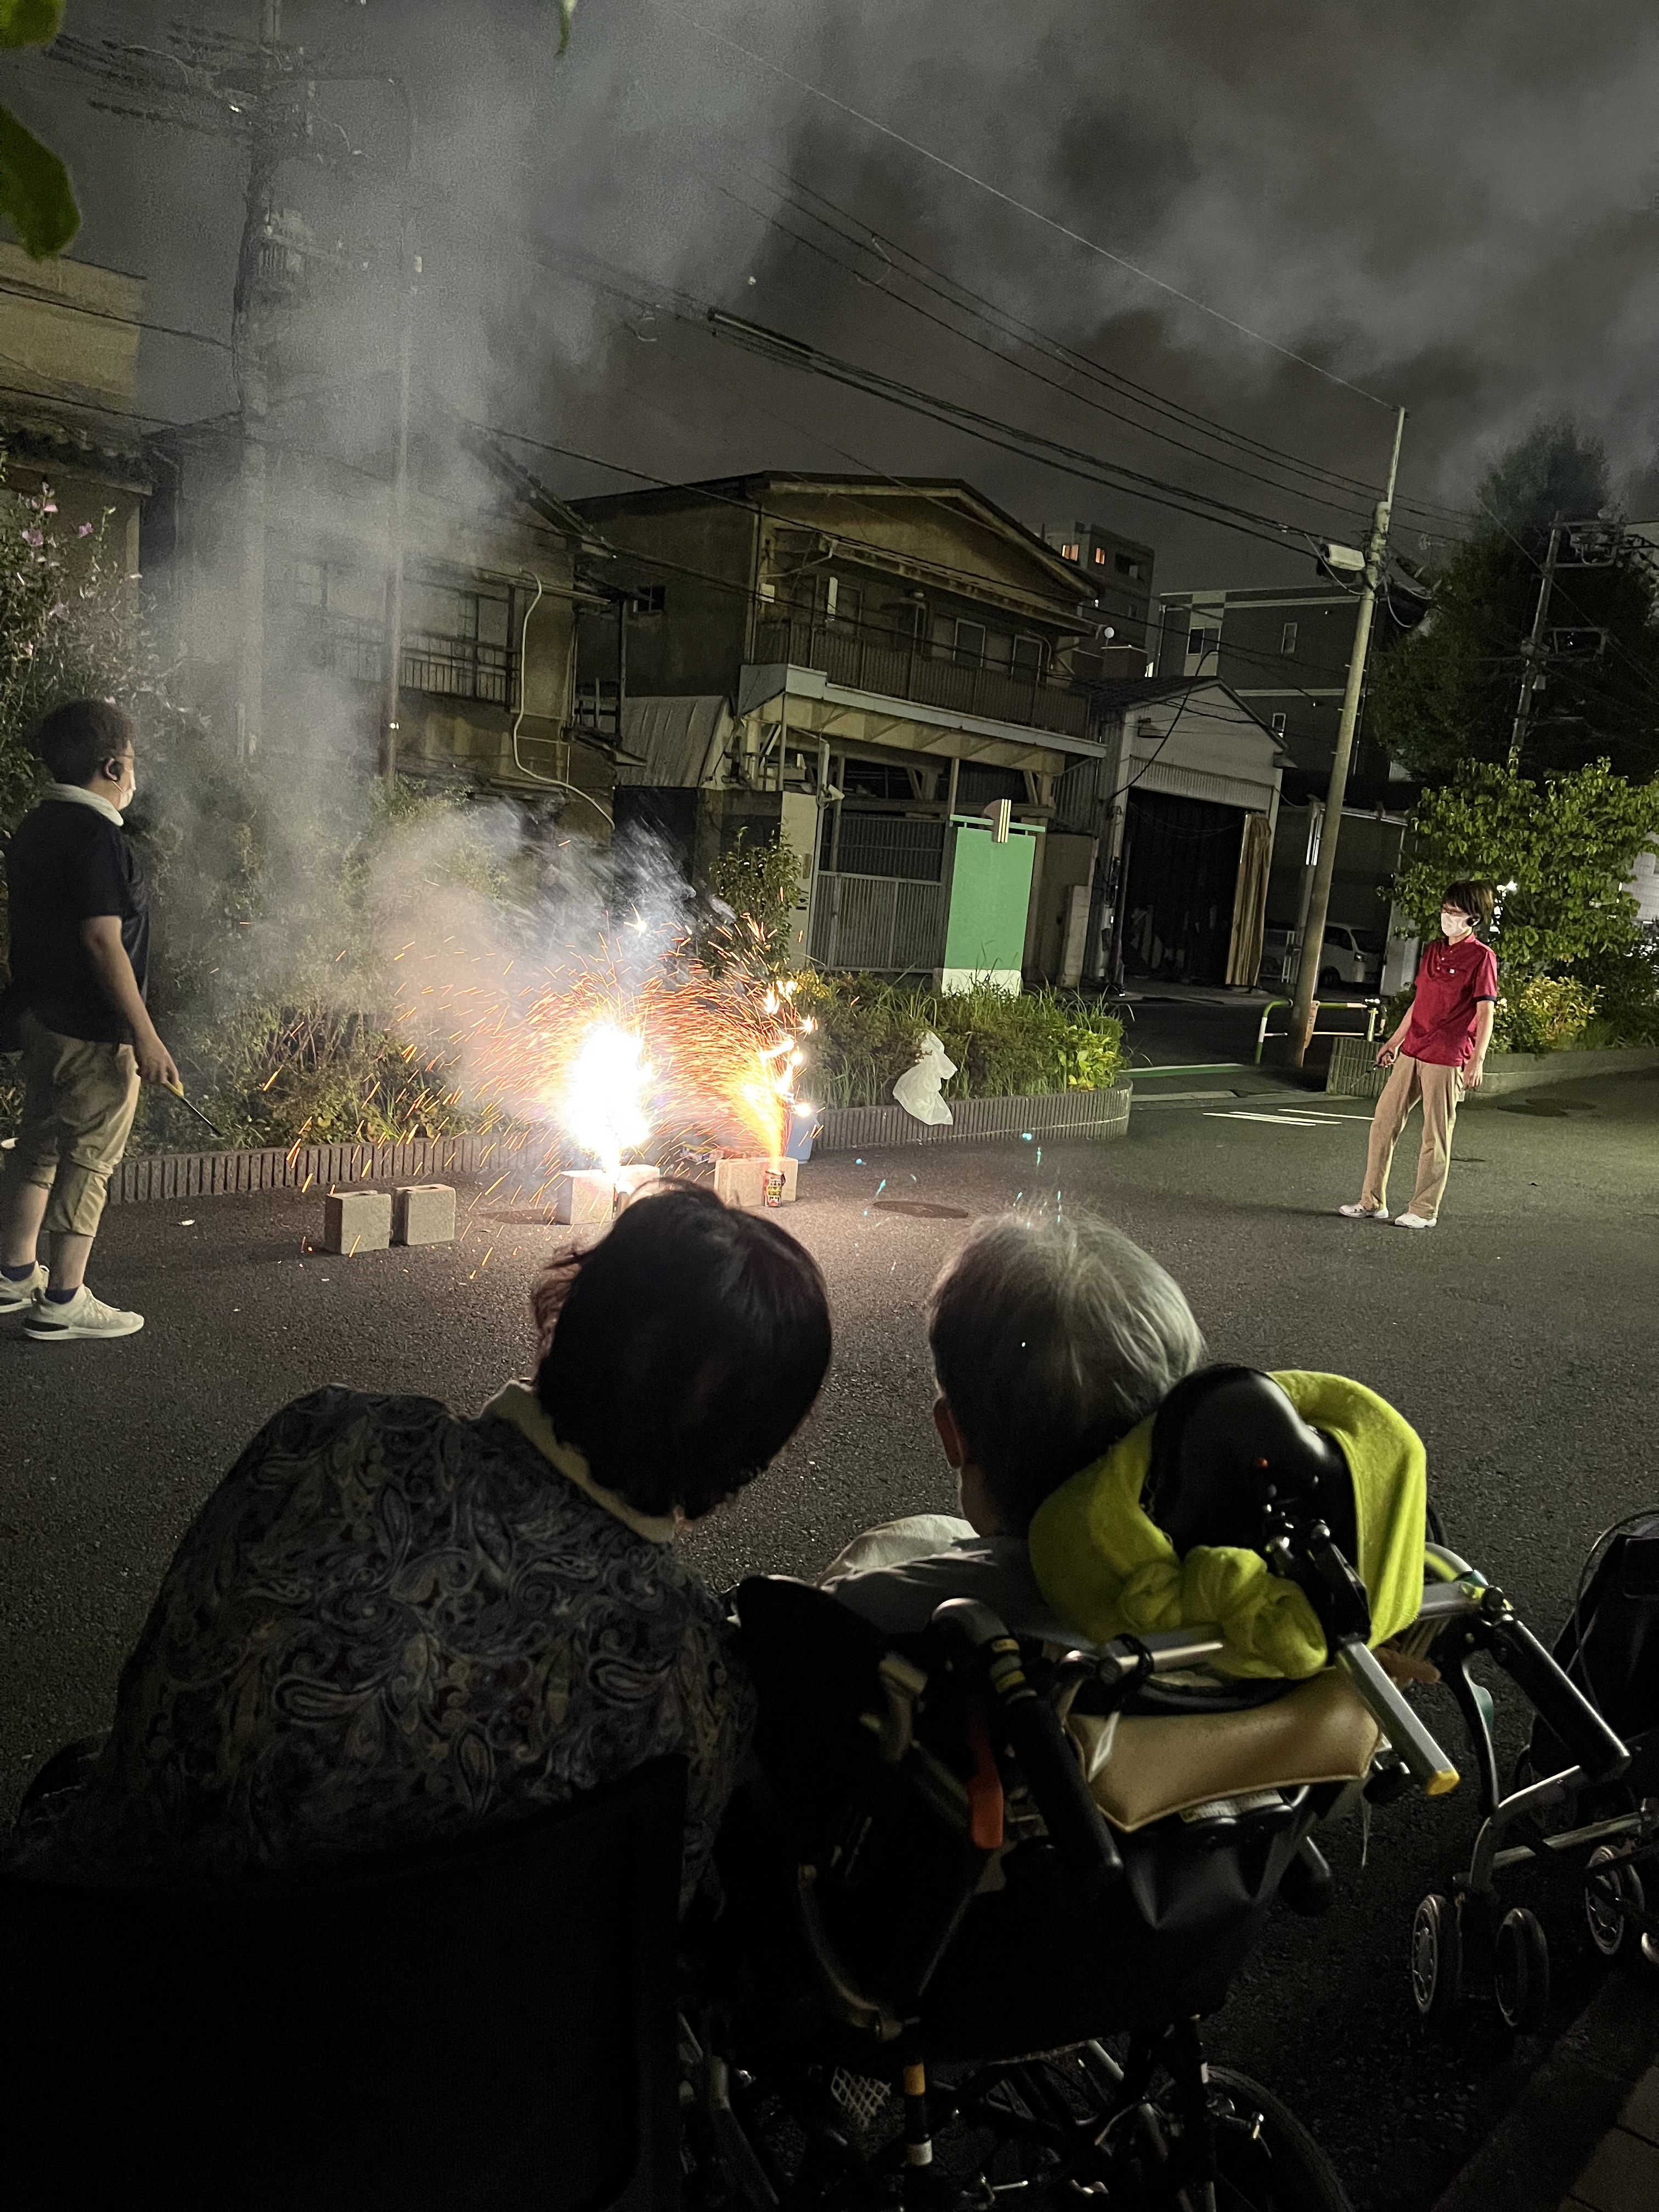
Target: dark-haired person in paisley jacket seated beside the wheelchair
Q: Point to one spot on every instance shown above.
(390, 1623)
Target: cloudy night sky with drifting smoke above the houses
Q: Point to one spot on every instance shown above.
(1452, 209)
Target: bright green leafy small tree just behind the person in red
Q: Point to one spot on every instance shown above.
(1558, 851)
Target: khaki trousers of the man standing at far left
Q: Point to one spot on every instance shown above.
(76, 1118)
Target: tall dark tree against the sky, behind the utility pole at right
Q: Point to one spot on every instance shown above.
(1448, 693)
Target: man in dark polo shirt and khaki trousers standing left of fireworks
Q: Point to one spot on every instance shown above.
(81, 952)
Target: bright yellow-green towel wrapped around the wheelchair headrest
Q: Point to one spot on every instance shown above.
(1112, 1572)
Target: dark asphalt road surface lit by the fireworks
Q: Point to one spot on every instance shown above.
(1519, 1337)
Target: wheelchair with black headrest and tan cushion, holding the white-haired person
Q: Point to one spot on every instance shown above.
(981, 1895)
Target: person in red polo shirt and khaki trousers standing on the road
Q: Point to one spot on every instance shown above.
(1437, 1054)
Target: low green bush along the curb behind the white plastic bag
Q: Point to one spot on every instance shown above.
(868, 1032)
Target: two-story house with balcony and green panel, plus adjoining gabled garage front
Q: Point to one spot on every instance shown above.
(888, 678)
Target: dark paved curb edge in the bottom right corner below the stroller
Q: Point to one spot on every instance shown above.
(1541, 2147)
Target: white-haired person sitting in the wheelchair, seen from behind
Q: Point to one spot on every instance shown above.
(1052, 1339)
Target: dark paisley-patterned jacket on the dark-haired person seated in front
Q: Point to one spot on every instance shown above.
(390, 1623)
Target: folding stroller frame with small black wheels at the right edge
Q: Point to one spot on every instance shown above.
(1465, 1937)
